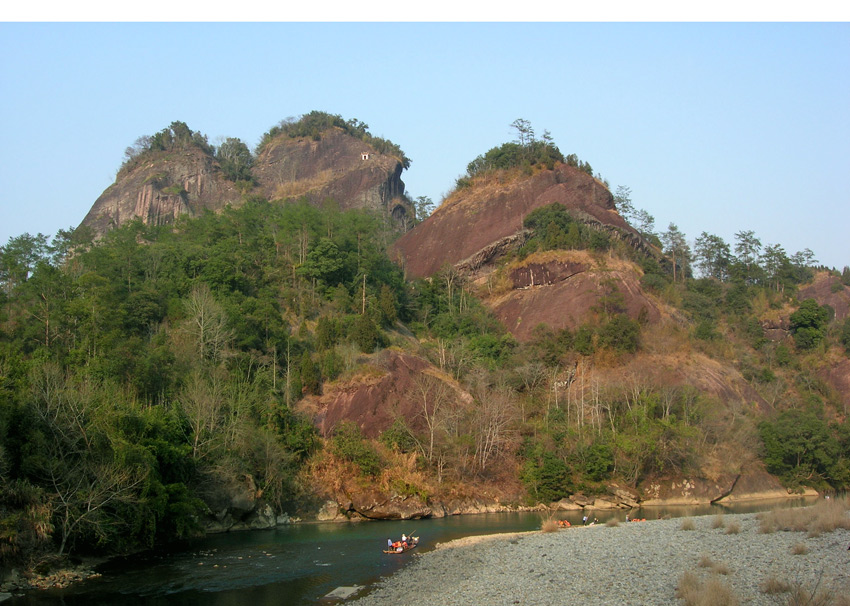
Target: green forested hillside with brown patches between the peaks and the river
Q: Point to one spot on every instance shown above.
(142, 372)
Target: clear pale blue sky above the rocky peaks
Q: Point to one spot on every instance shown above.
(721, 126)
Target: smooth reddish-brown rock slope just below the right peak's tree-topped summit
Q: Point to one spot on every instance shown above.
(476, 220)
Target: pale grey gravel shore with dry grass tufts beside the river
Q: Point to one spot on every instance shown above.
(638, 563)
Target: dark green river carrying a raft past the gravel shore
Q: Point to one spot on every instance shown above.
(300, 564)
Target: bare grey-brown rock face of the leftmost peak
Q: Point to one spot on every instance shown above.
(165, 185)
